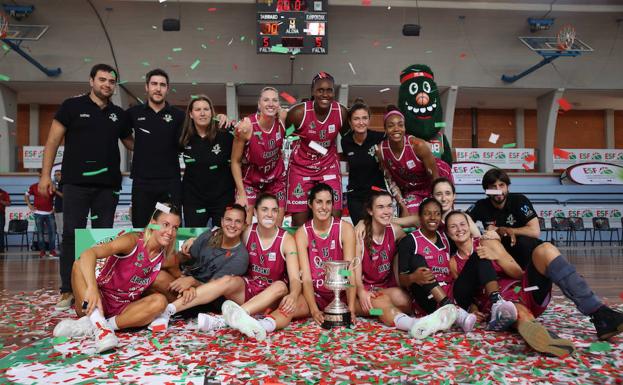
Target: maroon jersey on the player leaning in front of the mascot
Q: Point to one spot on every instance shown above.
(407, 171)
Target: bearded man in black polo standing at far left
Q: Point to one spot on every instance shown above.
(91, 126)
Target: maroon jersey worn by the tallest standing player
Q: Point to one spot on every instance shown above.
(322, 133)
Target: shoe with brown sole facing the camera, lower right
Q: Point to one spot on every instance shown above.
(544, 341)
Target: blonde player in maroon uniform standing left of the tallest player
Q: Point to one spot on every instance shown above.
(256, 156)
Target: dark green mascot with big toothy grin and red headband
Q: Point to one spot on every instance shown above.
(419, 102)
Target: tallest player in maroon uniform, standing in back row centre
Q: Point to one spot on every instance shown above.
(318, 123)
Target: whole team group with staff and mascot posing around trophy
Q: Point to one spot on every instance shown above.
(390, 245)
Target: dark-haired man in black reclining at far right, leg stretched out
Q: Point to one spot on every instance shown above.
(514, 219)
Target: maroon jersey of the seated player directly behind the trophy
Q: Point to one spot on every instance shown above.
(322, 249)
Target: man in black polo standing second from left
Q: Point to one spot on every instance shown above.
(155, 166)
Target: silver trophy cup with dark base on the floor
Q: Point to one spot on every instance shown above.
(336, 314)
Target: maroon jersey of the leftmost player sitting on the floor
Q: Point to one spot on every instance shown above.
(124, 278)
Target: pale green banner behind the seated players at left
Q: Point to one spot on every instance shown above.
(86, 238)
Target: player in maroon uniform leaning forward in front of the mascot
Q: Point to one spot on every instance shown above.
(408, 162)
